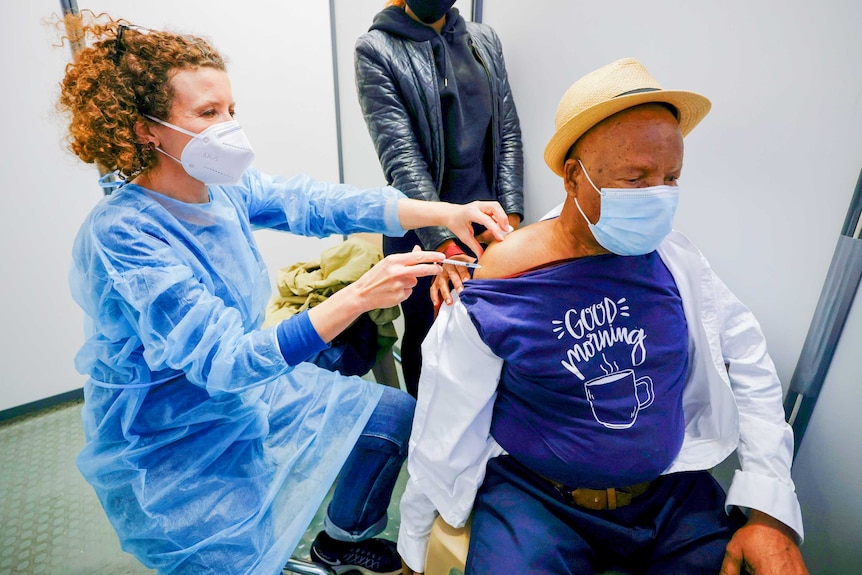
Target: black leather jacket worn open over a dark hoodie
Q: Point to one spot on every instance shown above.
(397, 85)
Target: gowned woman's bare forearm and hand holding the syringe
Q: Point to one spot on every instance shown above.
(386, 284)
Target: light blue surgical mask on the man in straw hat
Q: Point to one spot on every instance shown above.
(633, 221)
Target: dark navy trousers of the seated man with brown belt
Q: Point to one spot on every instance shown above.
(521, 522)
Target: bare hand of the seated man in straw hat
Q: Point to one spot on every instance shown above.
(763, 546)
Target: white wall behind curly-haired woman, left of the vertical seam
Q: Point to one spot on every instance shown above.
(280, 65)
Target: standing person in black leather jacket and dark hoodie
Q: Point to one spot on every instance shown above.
(436, 98)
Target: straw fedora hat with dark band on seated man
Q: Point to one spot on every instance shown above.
(608, 90)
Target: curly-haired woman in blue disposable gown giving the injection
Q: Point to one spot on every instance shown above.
(209, 441)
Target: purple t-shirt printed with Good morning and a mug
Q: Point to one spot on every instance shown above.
(595, 356)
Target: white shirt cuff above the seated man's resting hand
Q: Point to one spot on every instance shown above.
(768, 495)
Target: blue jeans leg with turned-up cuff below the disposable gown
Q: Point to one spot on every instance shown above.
(358, 507)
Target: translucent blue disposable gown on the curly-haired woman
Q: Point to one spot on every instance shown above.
(206, 449)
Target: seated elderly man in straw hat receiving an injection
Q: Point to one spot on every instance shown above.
(583, 384)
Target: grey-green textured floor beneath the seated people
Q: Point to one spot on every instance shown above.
(50, 519)
